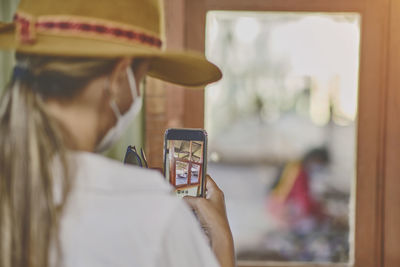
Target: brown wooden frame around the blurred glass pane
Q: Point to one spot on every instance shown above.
(377, 189)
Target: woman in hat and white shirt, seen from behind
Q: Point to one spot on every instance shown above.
(74, 89)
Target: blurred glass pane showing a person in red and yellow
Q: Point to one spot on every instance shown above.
(282, 127)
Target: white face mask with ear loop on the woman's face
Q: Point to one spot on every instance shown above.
(123, 120)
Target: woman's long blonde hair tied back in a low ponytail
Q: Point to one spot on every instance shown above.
(30, 139)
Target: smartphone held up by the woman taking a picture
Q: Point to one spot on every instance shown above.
(185, 161)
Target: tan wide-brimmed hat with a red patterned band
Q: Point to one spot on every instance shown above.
(104, 28)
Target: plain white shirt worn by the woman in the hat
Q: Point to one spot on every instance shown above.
(119, 215)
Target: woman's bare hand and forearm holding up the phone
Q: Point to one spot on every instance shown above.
(211, 213)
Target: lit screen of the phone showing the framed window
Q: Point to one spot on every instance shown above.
(184, 166)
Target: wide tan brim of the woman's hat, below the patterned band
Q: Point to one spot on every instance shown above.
(184, 68)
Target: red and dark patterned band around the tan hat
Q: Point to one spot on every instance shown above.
(27, 27)
